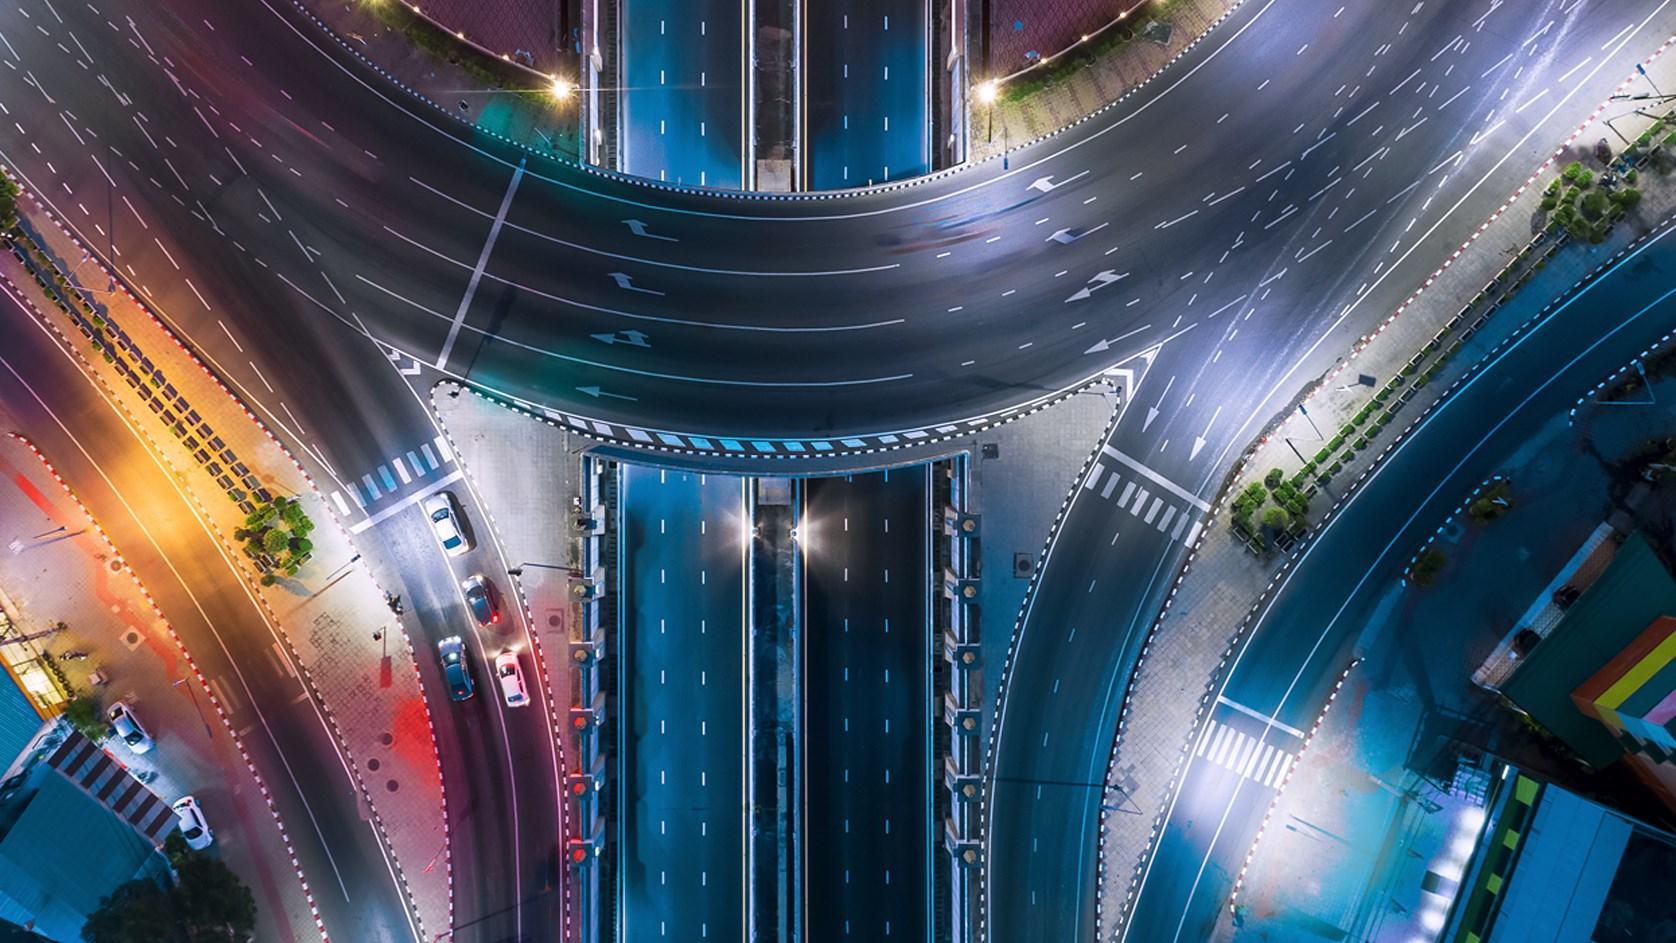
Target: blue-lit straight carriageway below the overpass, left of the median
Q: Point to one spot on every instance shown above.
(681, 708)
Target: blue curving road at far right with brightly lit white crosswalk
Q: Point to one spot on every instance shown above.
(1305, 636)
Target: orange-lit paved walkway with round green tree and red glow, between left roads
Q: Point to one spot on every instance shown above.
(365, 681)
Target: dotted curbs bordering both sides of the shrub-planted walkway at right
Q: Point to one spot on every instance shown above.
(1239, 470)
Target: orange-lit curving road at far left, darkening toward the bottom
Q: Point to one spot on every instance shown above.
(172, 550)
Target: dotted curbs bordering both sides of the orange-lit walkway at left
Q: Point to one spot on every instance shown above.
(251, 579)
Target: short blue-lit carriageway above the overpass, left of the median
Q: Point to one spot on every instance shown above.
(683, 100)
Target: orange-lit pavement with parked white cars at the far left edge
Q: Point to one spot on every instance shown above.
(58, 567)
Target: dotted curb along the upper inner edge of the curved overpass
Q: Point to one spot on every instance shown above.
(757, 197)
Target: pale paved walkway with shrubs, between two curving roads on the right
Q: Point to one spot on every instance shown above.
(1206, 617)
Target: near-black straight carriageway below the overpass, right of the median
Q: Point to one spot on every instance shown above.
(867, 664)
